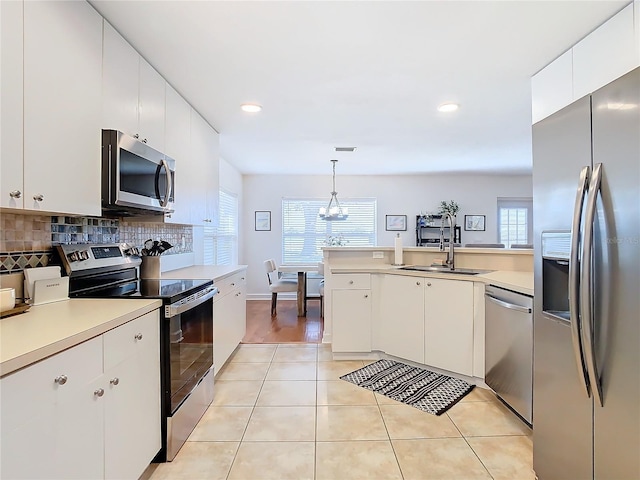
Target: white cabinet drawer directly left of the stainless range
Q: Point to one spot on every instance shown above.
(126, 340)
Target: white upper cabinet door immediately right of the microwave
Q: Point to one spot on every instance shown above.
(177, 146)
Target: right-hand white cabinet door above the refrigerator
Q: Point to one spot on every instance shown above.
(606, 54)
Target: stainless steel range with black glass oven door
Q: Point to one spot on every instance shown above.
(186, 329)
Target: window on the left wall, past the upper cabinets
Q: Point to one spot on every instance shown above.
(221, 243)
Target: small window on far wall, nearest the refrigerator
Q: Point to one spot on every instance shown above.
(515, 221)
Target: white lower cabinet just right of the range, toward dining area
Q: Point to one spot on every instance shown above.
(229, 317)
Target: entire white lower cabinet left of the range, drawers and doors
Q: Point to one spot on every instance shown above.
(66, 417)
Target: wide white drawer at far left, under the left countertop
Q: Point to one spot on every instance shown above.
(33, 390)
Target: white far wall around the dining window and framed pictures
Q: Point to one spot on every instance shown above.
(396, 195)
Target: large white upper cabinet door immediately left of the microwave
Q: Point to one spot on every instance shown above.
(62, 107)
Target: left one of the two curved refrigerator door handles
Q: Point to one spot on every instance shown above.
(574, 281)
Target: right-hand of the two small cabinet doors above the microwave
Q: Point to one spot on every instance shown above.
(151, 106)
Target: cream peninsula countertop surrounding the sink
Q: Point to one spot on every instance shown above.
(518, 281)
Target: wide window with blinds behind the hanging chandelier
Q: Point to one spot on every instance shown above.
(304, 233)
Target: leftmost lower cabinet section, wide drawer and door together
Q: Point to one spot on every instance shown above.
(54, 430)
